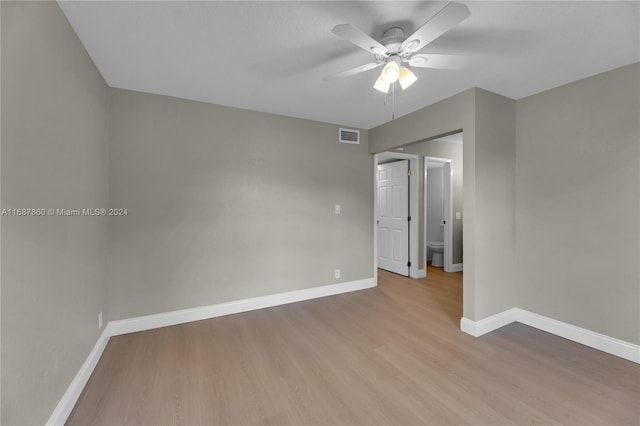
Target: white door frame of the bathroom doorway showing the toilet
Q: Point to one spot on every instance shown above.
(448, 211)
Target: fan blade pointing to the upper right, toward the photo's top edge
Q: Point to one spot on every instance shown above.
(448, 17)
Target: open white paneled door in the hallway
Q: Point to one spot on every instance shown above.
(393, 217)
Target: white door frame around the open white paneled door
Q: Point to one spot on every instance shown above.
(413, 210)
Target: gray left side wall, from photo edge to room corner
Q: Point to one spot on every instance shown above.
(54, 154)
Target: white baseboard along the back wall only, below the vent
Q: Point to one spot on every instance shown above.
(165, 319)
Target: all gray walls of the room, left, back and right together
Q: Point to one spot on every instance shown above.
(226, 204)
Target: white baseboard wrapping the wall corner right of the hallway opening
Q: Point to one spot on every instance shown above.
(610, 345)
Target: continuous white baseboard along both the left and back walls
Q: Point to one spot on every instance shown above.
(115, 328)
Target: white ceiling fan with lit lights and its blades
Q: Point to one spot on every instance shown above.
(395, 49)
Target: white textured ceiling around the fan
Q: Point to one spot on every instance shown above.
(273, 56)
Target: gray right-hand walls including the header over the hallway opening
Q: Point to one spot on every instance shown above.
(574, 221)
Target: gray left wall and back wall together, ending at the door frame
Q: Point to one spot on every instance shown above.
(223, 204)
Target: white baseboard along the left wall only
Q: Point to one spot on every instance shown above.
(70, 397)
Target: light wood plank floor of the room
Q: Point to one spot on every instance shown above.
(391, 355)
